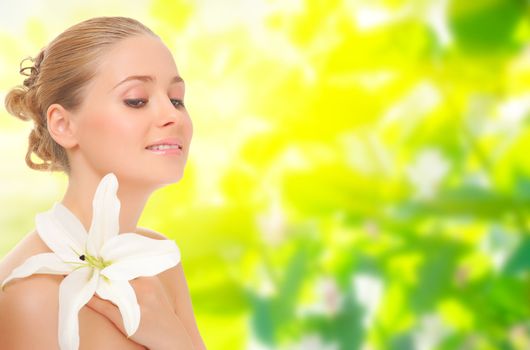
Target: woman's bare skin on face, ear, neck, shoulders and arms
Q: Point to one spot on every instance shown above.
(109, 132)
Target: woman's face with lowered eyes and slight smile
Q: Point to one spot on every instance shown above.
(134, 101)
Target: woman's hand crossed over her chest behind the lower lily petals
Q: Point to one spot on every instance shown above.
(160, 328)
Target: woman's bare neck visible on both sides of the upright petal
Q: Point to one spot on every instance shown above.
(80, 193)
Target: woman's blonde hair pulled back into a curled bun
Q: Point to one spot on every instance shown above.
(59, 74)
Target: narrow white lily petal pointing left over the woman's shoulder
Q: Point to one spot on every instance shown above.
(40, 263)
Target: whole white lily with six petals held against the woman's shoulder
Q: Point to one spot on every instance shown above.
(101, 261)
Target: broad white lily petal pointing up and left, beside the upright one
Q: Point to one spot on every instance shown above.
(62, 232)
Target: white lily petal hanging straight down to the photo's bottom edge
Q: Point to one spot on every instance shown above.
(74, 292)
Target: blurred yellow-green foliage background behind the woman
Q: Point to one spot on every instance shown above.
(359, 174)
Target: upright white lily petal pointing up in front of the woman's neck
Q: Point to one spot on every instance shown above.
(105, 214)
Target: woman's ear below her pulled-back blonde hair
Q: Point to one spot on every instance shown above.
(60, 125)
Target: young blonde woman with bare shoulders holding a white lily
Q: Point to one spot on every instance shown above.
(103, 96)
